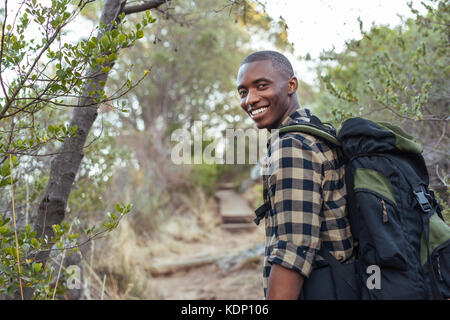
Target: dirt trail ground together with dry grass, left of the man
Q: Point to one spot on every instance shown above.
(190, 256)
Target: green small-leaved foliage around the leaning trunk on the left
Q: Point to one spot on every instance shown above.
(41, 79)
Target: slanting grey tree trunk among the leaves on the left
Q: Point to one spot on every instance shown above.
(66, 163)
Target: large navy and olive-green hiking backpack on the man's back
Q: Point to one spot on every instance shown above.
(402, 243)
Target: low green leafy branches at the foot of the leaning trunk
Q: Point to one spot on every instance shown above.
(18, 267)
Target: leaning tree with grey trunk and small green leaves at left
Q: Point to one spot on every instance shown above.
(52, 73)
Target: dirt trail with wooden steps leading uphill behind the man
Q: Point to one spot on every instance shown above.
(226, 264)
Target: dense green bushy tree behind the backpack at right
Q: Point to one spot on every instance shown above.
(400, 75)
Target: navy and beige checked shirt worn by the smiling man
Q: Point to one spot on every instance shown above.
(303, 178)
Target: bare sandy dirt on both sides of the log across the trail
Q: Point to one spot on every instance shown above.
(212, 281)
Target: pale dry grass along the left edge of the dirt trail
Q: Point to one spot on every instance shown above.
(126, 255)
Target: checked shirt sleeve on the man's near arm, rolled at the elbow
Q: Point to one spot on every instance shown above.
(296, 187)
